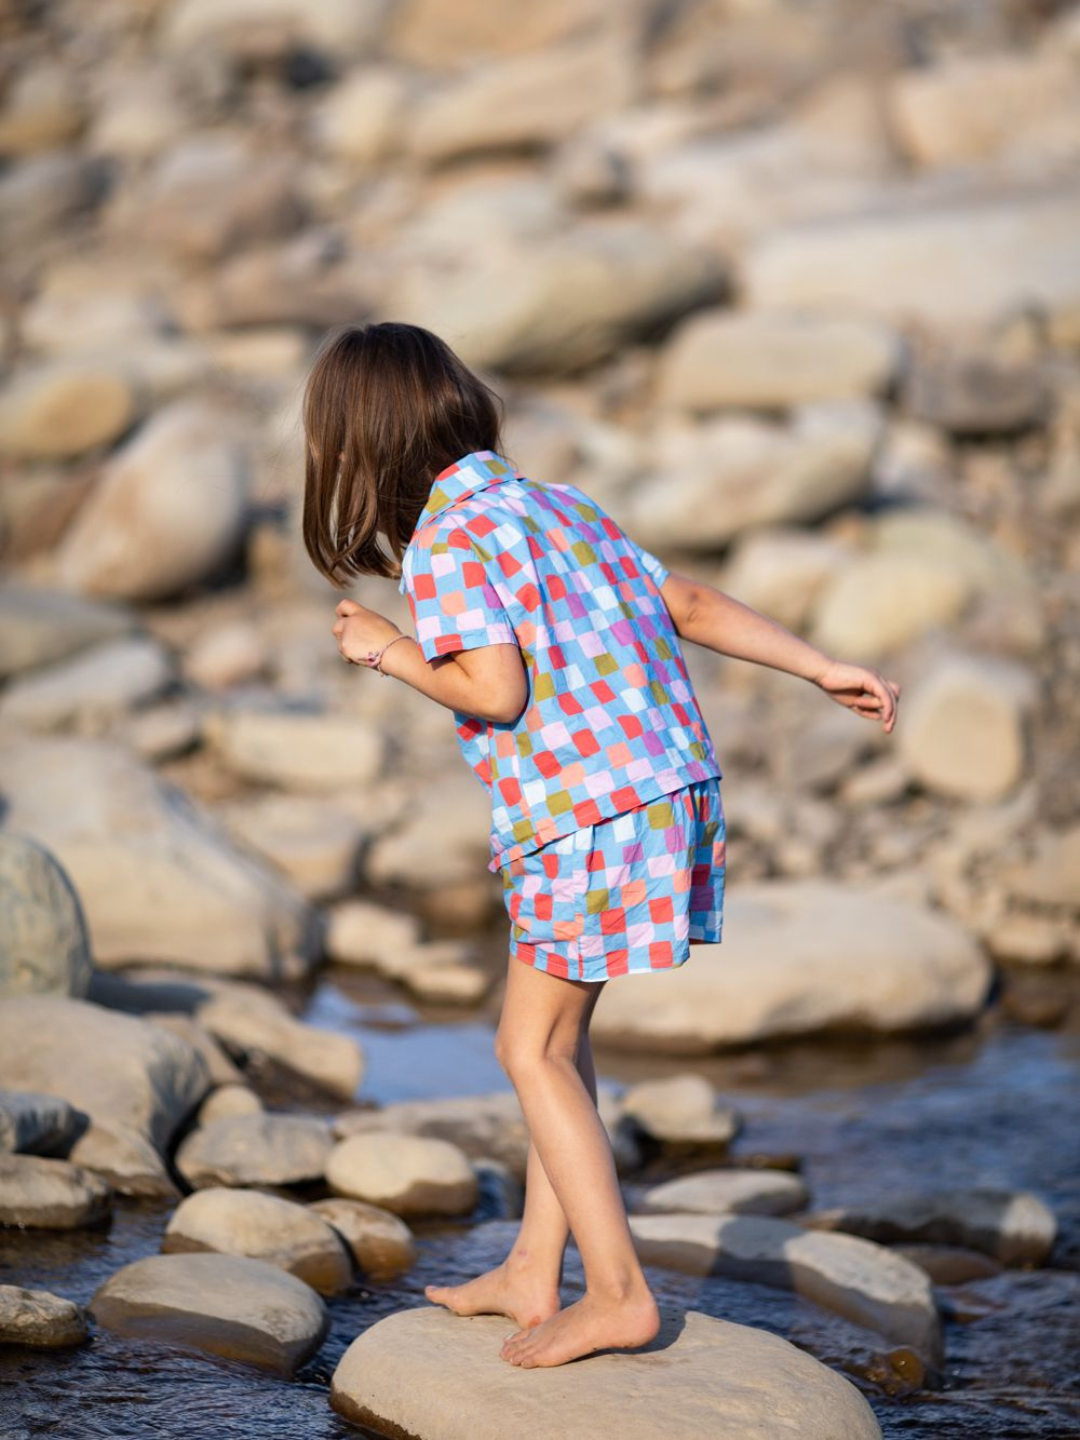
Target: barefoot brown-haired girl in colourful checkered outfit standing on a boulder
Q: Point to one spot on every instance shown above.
(555, 640)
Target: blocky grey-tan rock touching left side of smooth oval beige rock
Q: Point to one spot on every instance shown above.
(256, 1150)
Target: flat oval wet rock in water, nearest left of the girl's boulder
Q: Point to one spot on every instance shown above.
(228, 1305)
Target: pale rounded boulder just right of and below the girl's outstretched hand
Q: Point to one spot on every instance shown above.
(966, 731)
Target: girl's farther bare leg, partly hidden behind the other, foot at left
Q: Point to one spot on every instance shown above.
(526, 1285)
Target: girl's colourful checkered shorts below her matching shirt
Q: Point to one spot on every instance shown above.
(627, 895)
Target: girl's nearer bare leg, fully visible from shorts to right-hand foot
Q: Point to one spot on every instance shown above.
(538, 1046)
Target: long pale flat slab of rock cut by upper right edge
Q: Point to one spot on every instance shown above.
(873, 263)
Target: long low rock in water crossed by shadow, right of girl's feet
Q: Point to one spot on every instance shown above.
(860, 1281)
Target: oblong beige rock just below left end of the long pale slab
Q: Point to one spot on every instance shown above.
(761, 361)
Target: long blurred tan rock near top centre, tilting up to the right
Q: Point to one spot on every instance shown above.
(525, 102)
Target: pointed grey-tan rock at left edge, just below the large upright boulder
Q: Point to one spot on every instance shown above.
(41, 626)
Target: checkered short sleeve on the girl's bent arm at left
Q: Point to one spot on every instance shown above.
(453, 603)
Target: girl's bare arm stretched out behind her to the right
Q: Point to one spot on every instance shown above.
(718, 621)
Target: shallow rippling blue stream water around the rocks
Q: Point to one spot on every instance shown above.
(991, 1108)
